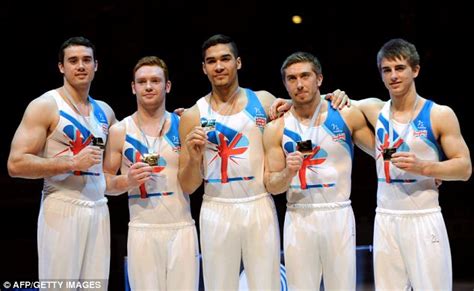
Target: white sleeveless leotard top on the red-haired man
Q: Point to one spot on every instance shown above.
(172, 206)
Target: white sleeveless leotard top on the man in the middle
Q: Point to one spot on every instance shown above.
(241, 129)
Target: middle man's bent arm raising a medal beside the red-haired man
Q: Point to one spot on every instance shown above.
(193, 142)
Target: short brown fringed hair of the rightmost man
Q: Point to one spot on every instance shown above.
(398, 48)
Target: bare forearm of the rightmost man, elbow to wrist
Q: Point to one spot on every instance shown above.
(451, 170)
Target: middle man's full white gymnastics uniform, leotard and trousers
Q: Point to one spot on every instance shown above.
(238, 217)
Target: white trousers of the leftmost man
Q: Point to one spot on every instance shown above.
(74, 240)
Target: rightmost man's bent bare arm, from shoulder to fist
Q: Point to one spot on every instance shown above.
(457, 165)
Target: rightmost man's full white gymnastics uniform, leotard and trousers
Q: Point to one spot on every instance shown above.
(411, 247)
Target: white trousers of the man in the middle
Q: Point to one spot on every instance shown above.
(235, 229)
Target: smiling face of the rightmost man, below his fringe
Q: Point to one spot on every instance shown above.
(398, 76)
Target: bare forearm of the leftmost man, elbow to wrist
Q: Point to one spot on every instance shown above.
(33, 167)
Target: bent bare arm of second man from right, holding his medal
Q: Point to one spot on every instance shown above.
(279, 171)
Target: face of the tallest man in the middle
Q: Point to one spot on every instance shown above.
(220, 65)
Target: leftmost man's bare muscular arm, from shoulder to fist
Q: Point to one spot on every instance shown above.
(25, 159)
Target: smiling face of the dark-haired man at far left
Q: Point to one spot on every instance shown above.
(78, 65)
